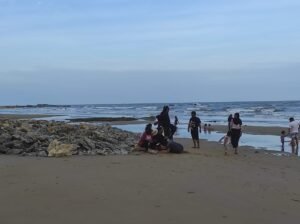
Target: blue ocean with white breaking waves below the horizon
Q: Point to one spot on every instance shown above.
(269, 113)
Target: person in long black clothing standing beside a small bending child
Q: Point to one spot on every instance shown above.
(236, 131)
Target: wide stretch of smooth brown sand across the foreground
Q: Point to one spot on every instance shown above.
(202, 186)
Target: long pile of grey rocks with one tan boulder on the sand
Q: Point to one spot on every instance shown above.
(56, 139)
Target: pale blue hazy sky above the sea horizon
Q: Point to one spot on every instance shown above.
(133, 51)
